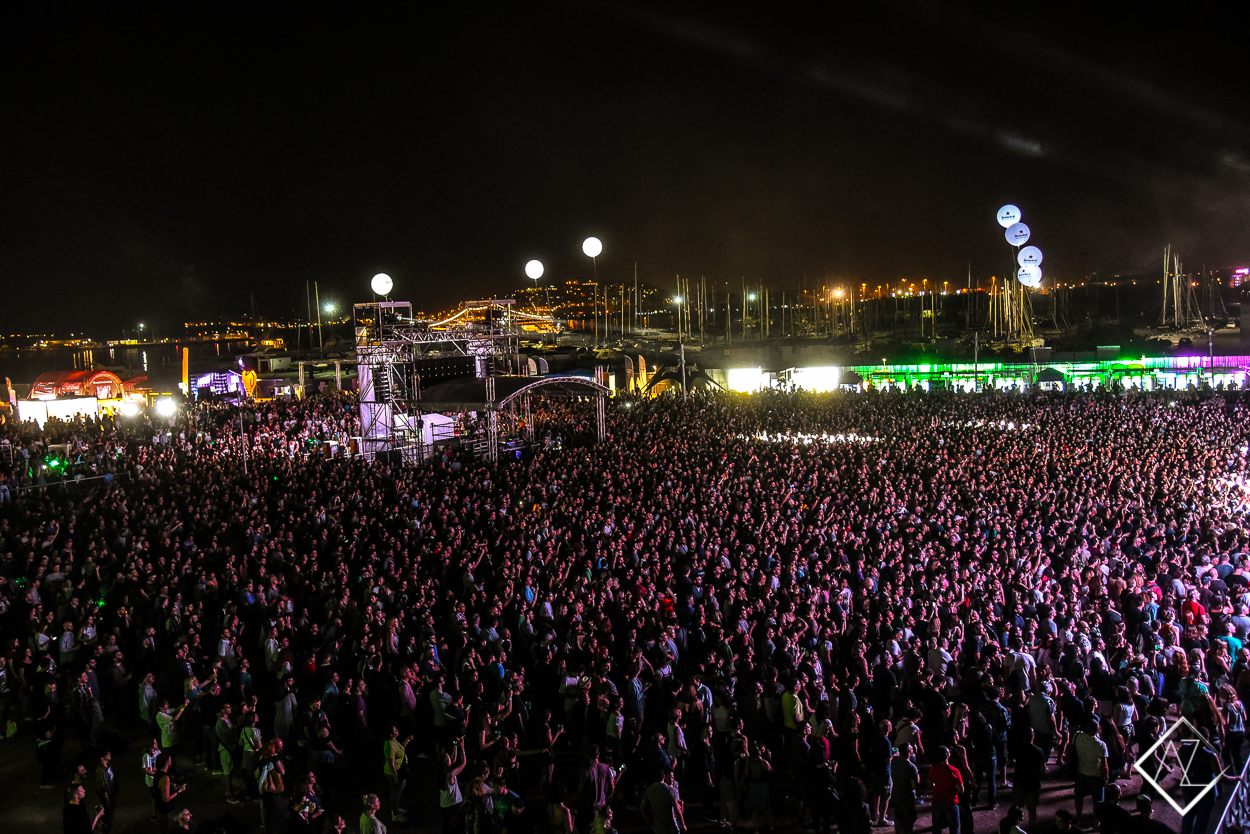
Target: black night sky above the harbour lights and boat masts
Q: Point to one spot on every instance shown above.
(161, 163)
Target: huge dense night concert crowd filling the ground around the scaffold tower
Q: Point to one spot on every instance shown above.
(853, 612)
